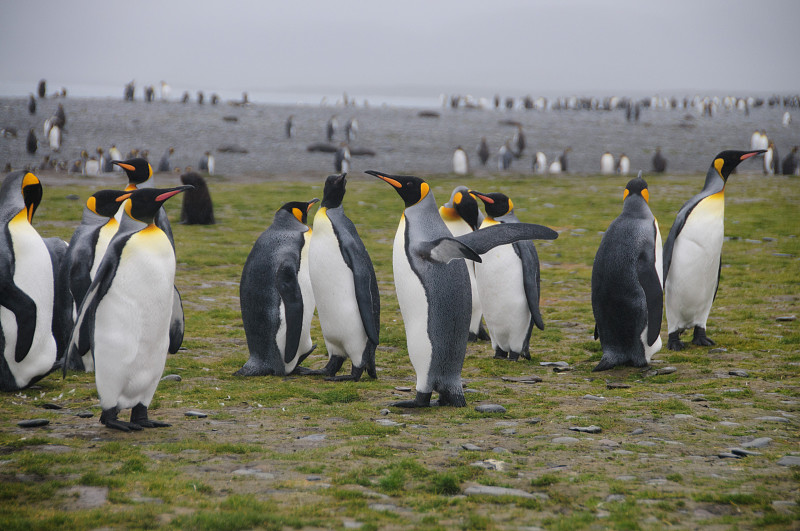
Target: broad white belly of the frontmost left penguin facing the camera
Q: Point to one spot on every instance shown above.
(131, 334)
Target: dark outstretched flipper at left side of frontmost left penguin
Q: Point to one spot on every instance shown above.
(83, 331)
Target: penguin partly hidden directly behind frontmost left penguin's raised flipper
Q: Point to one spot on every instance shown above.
(86, 249)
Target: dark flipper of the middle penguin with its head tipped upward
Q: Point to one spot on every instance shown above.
(365, 282)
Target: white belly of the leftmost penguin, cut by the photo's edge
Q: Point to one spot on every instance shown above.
(33, 274)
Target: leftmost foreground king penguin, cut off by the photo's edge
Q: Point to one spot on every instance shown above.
(26, 287)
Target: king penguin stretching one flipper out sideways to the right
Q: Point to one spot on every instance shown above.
(429, 278)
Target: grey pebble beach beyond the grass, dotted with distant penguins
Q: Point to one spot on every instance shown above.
(403, 141)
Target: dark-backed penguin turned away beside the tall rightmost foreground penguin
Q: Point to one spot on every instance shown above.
(627, 292)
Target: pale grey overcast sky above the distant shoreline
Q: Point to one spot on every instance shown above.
(482, 47)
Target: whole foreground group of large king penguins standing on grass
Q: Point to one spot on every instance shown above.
(107, 301)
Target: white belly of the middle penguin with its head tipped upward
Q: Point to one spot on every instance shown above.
(334, 291)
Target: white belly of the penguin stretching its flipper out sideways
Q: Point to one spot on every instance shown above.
(414, 309)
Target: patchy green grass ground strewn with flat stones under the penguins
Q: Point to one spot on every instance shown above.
(410, 476)
